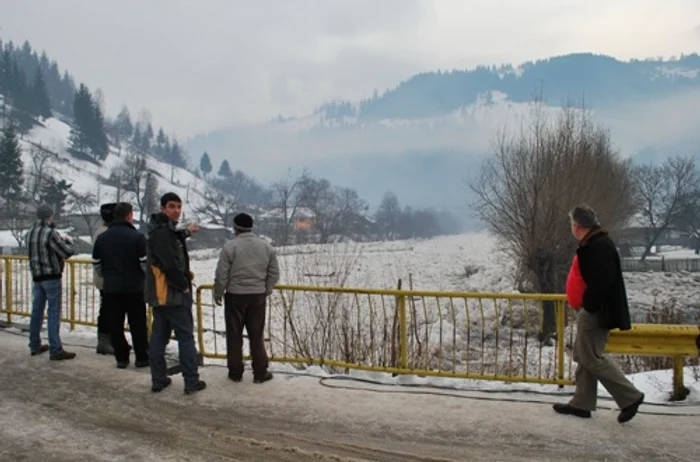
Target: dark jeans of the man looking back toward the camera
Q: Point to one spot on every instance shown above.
(179, 319)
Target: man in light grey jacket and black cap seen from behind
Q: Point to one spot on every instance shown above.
(246, 274)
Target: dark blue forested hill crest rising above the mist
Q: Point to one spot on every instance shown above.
(600, 80)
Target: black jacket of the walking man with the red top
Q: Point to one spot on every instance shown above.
(601, 270)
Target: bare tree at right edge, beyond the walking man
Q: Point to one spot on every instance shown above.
(661, 194)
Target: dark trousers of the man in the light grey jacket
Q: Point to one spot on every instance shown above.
(245, 311)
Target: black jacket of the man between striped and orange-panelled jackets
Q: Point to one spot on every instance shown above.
(119, 256)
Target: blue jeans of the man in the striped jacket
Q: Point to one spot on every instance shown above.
(43, 292)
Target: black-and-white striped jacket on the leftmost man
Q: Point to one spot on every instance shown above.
(47, 251)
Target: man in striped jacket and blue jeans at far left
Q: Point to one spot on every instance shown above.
(47, 254)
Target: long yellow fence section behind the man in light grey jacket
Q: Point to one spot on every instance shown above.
(465, 335)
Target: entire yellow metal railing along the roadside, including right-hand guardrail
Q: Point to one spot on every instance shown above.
(450, 334)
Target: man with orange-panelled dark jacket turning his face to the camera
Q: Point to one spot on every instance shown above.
(169, 292)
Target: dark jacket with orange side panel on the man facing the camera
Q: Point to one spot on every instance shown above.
(168, 274)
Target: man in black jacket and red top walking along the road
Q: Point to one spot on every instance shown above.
(604, 300)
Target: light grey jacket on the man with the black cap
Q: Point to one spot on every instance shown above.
(247, 265)
